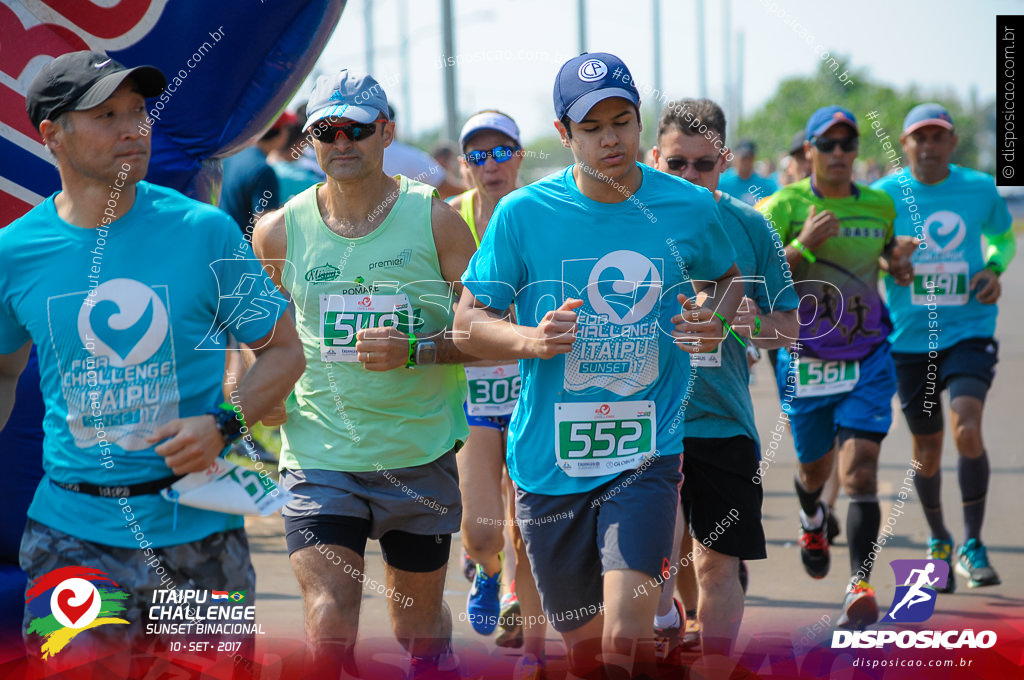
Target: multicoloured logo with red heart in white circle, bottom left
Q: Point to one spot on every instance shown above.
(69, 601)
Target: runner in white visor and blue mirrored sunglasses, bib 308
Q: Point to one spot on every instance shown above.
(492, 156)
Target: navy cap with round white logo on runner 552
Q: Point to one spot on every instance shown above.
(585, 80)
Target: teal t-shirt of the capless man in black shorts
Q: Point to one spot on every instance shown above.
(720, 405)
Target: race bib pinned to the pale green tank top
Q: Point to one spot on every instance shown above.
(344, 316)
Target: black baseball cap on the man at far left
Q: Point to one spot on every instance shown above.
(78, 81)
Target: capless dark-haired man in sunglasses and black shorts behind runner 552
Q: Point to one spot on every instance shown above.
(721, 449)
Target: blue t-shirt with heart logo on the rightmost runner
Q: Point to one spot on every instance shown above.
(951, 218)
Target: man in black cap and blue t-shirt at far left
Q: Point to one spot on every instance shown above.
(131, 339)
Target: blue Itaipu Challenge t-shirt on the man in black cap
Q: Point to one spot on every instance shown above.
(130, 321)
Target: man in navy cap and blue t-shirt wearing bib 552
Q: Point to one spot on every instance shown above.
(599, 260)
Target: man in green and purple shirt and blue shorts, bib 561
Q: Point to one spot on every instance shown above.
(838, 380)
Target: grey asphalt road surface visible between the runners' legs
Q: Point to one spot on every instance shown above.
(784, 606)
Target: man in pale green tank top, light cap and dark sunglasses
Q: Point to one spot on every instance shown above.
(369, 449)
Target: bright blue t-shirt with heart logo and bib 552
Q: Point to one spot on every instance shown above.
(627, 262)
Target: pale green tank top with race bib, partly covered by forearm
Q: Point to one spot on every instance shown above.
(340, 416)
